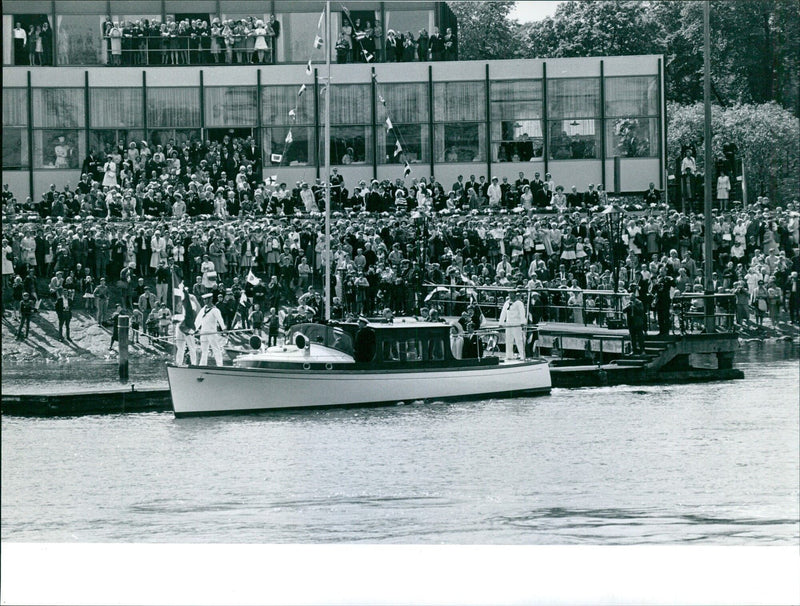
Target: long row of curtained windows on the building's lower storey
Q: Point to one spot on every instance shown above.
(441, 122)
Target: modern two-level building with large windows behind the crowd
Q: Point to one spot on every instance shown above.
(584, 120)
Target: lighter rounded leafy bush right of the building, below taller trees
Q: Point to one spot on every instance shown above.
(765, 135)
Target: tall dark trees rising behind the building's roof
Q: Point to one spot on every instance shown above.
(755, 43)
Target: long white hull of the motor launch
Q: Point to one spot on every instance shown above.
(223, 390)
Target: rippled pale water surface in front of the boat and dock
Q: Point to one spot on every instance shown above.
(709, 463)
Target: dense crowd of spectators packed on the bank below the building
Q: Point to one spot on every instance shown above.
(140, 224)
